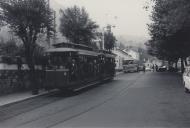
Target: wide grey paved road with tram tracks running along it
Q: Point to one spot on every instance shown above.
(131, 100)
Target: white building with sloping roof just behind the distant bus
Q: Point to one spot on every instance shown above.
(120, 56)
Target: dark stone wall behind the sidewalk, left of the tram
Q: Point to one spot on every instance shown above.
(12, 80)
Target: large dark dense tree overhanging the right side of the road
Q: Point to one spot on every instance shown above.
(170, 30)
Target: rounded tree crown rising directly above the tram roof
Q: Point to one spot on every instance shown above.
(76, 26)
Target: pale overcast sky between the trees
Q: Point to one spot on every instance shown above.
(128, 16)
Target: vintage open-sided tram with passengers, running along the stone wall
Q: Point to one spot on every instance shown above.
(74, 67)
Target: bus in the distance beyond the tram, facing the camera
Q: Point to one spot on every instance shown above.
(130, 66)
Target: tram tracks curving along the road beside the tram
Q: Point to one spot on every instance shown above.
(74, 106)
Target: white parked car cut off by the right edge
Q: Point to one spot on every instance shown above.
(186, 79)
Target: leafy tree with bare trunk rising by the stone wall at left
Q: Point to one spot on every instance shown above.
(27, 19)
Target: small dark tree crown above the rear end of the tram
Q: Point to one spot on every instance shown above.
(109, 40)
